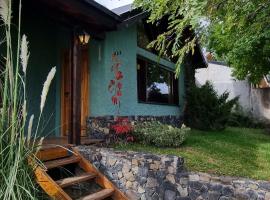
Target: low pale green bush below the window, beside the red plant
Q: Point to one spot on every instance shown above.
(159, 134)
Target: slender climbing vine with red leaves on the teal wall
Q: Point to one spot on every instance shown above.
(115, 85)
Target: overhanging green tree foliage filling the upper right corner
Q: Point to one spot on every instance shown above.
(236, 31)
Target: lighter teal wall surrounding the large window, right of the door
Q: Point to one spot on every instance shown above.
(124, 40)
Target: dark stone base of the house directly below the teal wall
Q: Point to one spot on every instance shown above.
(99, 127)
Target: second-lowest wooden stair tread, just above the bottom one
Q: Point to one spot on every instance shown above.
(76, 179)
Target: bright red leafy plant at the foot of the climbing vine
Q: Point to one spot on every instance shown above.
(122, 130)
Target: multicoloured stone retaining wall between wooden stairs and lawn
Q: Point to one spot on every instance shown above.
(147, 176)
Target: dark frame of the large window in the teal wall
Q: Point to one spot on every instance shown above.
(142, 80)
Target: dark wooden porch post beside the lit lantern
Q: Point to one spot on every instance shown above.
(76, 93)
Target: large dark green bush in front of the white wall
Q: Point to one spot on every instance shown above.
(206, 110)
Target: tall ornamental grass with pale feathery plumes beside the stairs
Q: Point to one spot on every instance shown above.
(18, 137)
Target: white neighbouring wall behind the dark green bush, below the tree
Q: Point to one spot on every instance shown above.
(253, 100)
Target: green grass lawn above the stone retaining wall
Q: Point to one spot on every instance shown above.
(235, 152)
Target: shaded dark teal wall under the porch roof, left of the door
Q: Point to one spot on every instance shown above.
(46, 42)
